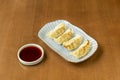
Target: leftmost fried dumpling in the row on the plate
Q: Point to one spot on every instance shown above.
(59, 29)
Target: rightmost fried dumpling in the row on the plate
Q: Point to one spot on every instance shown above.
(82, 50)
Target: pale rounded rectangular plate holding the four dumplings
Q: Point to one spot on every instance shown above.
(59, 49)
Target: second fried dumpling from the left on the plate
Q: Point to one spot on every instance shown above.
(65, 36)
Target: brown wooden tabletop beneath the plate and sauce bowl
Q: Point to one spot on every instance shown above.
(20, 21)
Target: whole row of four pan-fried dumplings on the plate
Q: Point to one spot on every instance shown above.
(64, 36)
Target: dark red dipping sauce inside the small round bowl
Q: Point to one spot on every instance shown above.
(30, 53)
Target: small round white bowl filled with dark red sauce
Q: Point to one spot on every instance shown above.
(30, 54)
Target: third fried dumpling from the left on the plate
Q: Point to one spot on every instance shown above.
(73, 43)
